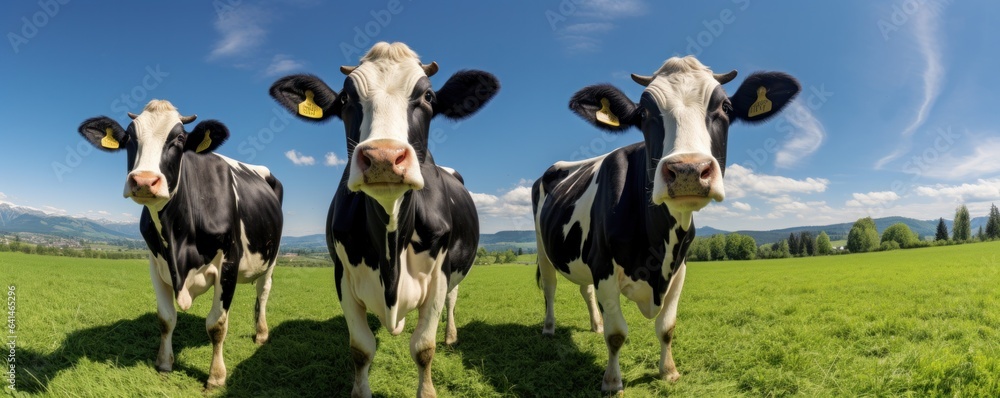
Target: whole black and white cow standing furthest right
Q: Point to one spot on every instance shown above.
(623, 221)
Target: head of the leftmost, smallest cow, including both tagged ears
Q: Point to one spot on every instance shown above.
(155, 142)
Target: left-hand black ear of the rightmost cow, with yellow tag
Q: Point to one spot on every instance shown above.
(606, 107)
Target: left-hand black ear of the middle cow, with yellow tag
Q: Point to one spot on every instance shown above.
(307, 97)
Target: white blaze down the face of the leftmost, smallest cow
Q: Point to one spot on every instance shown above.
(152, 127)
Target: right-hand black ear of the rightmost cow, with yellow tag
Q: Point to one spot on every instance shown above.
(763, 95)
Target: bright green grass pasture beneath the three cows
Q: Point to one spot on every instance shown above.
(922, 322)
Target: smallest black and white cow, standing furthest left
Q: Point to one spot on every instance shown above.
(209, 221)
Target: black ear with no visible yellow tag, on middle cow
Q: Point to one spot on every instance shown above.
(465, 93)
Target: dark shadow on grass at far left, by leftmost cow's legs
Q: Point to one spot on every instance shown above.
(123, 343)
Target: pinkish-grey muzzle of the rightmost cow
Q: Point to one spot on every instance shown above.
(688, 183)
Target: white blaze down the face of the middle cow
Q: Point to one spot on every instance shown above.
(385, 80)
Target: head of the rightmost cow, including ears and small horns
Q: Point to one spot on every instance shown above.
(684, 115)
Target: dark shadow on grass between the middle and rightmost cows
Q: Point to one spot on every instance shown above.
(518, 360)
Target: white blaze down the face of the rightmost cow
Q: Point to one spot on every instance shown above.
(682, 89)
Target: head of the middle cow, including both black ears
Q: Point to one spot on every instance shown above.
(386, 105)
